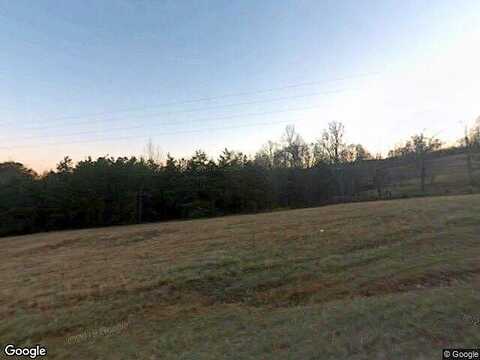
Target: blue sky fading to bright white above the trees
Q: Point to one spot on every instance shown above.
(99, 78)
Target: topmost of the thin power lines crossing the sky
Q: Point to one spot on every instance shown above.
(203, 99)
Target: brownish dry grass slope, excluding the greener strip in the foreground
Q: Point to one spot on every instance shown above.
(59, 283)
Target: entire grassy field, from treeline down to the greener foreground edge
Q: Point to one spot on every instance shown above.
(379, 280)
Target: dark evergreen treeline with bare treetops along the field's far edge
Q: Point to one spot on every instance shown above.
(285, 174)
